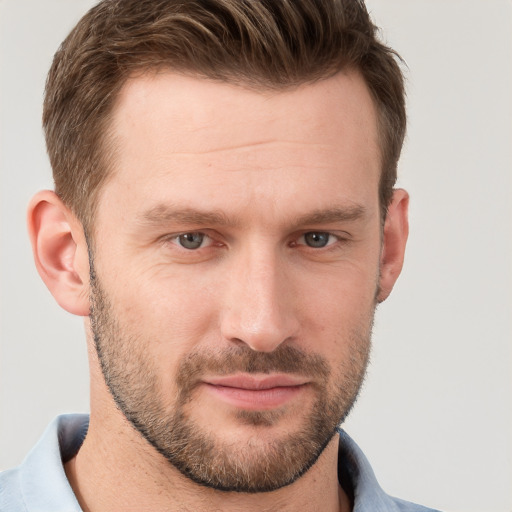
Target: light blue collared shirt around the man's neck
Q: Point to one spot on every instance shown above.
(39, 484)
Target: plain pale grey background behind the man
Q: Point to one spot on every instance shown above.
(435, 416)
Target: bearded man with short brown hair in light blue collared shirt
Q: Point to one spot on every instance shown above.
(224, 219)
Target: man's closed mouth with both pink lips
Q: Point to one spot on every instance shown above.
(256, 393)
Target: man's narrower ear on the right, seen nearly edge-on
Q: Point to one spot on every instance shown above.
(396, 230)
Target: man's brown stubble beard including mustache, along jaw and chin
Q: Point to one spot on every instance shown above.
(260, 464)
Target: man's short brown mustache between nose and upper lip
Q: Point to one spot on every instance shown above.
(285, 359)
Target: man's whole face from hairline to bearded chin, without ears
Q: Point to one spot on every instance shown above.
(235, 270)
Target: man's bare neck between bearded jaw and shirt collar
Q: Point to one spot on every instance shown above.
(116, 469)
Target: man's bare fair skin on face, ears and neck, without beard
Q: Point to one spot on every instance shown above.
(273, 167)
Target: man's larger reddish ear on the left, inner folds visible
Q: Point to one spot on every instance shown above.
(60, 251)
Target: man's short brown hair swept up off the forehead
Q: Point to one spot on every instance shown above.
(274, 44)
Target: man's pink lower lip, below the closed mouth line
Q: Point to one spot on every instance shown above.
(256, 399)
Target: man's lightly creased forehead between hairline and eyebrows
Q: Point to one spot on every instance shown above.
(179, 135)
